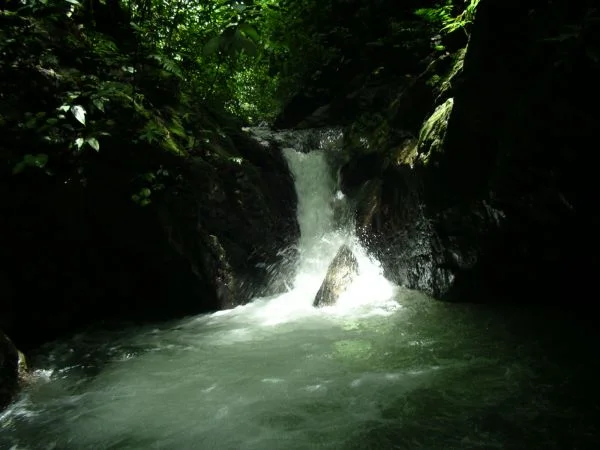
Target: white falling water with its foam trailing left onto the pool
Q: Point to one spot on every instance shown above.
(320, 238)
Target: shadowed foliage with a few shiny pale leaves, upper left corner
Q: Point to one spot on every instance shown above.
(69, 92)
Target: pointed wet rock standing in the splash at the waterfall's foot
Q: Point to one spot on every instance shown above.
(341, 272)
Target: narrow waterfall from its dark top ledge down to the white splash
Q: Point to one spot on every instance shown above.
(325, 225)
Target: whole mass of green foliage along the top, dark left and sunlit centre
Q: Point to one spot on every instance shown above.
(131, 77)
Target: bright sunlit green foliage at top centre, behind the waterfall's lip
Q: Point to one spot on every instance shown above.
(215, 49)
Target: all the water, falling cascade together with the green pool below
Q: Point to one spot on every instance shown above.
(366, 373)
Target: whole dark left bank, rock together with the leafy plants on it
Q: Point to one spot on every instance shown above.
(172, 210)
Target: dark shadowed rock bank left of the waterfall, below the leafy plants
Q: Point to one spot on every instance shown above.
(209, 240)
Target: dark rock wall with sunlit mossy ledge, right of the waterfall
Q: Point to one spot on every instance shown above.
(477, 186)
